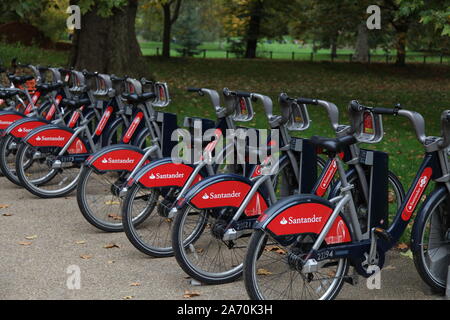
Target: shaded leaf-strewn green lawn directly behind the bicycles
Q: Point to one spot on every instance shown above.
(423, 88)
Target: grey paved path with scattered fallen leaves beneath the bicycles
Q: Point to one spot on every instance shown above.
(59, 236)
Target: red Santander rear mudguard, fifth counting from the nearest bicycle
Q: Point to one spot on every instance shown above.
(55, 136)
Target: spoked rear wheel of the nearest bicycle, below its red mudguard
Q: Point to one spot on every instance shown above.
(273, 271)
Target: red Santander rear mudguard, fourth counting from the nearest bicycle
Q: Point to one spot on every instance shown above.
(119, 157)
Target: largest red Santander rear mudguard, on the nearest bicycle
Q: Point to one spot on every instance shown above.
(303, 214)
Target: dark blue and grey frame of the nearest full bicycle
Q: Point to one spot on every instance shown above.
(434, 167)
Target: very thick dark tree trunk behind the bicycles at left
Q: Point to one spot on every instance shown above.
(109, 45)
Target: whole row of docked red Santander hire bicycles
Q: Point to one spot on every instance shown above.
(287, 212)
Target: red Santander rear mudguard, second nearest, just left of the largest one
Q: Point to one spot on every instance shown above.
(225, 190)
